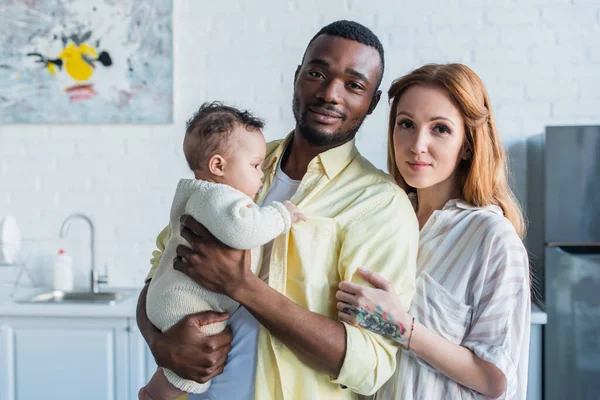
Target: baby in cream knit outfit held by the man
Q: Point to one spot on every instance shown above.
(225, 148)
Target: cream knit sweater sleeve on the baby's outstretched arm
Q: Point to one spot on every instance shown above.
(234, 219)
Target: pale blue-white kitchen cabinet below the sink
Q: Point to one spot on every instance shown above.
(72, 358)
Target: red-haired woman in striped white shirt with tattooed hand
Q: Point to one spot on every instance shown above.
(466, 334)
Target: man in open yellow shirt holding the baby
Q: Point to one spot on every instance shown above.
(357, 217)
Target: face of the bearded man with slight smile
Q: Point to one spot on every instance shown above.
(334, 89)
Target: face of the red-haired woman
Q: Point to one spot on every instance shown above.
(428, 138)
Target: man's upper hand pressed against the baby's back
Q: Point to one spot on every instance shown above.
(210, 263)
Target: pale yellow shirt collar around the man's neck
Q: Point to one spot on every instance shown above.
(333, 160)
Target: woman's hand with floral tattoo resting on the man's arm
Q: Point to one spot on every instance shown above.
(377, 309)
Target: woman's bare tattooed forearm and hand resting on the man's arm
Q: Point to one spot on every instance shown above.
(379, 310)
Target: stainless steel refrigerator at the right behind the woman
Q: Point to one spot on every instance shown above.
(564, 208)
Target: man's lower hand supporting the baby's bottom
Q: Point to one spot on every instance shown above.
(191, 353)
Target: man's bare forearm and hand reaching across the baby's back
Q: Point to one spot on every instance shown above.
(317, 340)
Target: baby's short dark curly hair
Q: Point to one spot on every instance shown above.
(208, 132)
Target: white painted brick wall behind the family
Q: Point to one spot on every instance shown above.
(540, 60)
